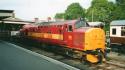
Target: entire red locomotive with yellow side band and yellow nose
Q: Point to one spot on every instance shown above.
(73, 36)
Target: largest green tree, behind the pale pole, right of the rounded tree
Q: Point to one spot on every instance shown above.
(100, 10)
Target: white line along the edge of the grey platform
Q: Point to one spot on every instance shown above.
(44, 57)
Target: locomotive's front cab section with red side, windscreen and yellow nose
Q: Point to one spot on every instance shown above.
(91, 41)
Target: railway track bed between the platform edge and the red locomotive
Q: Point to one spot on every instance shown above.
(108, 65)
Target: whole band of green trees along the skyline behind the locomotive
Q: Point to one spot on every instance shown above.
(100, 10)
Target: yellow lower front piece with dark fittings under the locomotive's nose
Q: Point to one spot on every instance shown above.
(95, 58)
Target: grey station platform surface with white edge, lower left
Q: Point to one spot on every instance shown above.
(14, 57)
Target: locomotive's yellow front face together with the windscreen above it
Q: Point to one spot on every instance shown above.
(94, 42)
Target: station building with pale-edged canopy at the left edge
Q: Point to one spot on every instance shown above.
(9, 24)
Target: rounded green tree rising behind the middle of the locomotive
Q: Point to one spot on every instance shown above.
(74, 11)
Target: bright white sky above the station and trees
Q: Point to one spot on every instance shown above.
(30, 9)
